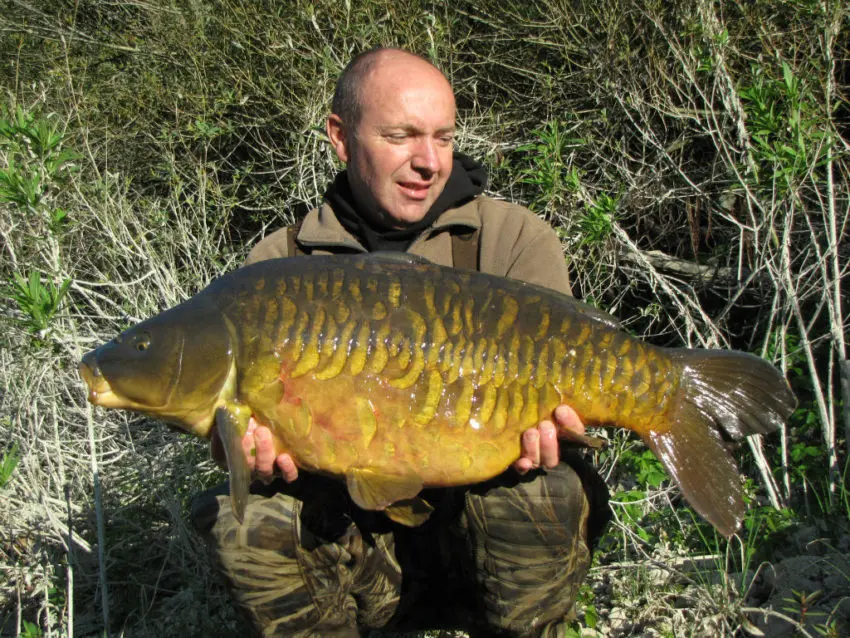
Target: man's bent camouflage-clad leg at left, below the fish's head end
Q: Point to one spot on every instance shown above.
(294, 579)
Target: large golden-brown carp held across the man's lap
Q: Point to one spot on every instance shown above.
(398, 374)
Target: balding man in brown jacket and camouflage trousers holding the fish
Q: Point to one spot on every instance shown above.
(502, 558)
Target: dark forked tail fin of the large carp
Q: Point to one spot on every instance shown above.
(724, 396)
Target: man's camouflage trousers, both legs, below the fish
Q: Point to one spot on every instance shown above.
(503, 558)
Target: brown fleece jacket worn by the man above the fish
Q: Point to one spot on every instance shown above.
(513, 242)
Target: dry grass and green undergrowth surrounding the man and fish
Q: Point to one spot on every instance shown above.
(144, 147)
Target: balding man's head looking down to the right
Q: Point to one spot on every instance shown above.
(393, 125)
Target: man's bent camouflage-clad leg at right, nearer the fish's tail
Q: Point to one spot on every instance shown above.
(531, 540)
